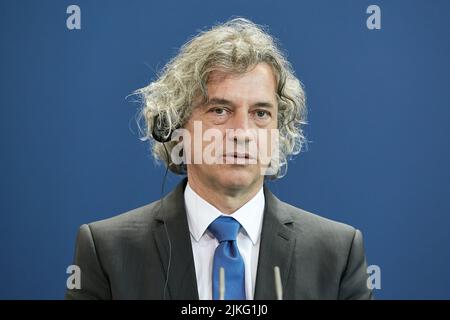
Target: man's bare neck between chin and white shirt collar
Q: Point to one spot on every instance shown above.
(226, 200)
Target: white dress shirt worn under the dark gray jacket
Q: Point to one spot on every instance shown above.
(200, 214)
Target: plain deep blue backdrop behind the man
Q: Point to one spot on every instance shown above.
(379, 113)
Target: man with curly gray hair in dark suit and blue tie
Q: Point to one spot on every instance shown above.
(221, 232)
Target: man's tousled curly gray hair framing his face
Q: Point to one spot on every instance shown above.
(233, 47)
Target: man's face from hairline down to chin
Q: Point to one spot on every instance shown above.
(240, 108)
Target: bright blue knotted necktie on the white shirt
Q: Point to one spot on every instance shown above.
(227, 255)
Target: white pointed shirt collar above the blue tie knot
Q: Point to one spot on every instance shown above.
(201, 213)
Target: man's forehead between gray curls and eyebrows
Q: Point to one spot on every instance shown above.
(259, 83)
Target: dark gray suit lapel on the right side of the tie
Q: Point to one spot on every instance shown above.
(276, 249)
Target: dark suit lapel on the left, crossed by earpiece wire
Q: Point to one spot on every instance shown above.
(176, 255)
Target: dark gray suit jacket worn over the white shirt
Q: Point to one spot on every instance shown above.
(127, 256)
